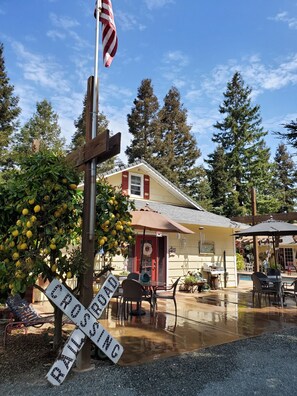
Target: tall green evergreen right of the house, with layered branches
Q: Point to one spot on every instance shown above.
(242, 137)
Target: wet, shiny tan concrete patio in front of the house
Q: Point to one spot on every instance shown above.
(203, 319)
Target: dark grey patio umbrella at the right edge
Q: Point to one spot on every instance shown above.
(271, 227)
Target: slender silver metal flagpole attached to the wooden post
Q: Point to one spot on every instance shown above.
(95, 111)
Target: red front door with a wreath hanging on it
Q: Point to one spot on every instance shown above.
(147, 255)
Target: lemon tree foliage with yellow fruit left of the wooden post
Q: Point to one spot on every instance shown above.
(41, 211)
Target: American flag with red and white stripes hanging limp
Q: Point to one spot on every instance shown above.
(109, 32)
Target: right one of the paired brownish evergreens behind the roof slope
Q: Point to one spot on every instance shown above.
(178, 152)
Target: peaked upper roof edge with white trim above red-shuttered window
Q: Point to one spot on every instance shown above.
(152, 172)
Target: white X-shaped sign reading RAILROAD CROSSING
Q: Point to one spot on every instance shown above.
(87, 326)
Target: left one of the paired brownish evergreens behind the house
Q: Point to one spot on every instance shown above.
(142, 122)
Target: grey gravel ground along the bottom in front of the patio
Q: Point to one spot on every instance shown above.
(264, 365)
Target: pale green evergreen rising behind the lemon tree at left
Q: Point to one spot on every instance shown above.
(43, 127)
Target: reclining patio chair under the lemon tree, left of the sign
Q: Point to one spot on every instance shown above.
(24, 316)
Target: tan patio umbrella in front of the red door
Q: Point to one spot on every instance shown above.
(148, 219)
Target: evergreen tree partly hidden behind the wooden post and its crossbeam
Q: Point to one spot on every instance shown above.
(79, 136)
